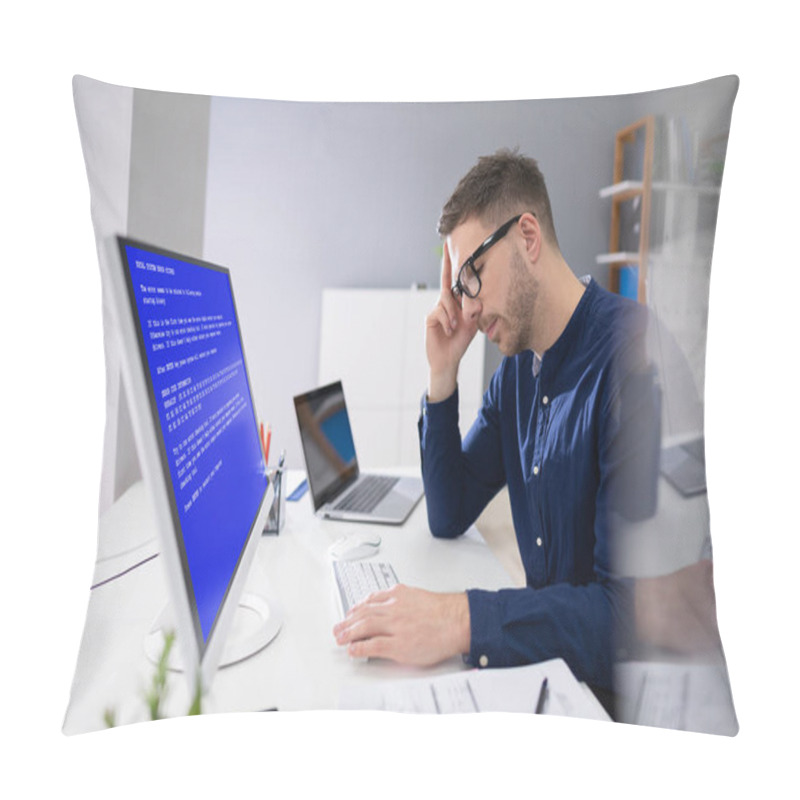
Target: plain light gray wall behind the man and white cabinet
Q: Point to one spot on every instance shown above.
(304, 196)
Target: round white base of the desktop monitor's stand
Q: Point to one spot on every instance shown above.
(256, 623)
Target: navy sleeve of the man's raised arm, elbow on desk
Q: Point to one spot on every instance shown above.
(460, 478)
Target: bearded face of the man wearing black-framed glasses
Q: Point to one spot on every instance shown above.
(505, 307)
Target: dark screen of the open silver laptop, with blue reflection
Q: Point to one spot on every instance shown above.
(327, 441)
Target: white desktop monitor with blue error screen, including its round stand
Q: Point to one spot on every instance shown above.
(196, 431)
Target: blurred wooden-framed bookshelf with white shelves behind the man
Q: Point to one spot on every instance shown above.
(664, 200)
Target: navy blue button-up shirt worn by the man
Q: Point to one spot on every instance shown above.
(565, 443)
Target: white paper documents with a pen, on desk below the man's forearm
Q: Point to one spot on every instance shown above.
(513, 689)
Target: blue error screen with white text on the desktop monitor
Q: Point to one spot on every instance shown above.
(207, 423)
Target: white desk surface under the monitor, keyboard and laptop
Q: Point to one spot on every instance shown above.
(303, 668)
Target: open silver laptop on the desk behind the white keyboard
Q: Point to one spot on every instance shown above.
(339, 490)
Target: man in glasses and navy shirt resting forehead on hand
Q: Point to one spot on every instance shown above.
(562, 424)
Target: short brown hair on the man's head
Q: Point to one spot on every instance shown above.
(495, 189)
